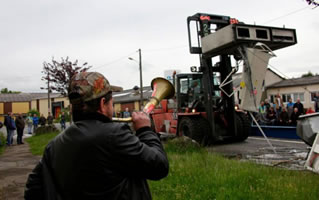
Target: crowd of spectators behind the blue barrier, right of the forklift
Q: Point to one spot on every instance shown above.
(278, 113)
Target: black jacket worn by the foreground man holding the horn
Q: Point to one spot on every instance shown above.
(97, 159)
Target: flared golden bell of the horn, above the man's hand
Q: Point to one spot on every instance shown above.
(162, 89)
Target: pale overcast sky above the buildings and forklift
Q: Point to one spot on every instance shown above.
(105, 33)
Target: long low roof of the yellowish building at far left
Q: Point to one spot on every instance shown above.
(26, 97)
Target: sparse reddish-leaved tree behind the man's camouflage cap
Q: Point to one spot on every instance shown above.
(60, 73)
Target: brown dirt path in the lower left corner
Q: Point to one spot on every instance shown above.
(15, 164)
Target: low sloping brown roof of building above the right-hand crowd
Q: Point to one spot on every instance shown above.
(296, 82)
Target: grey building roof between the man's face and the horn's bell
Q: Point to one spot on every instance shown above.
(131, 95)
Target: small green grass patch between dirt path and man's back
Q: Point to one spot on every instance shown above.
(38, 143)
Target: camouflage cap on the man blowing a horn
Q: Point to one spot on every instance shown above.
(86, 86)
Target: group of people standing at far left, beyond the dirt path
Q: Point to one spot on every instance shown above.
(31, 121)
